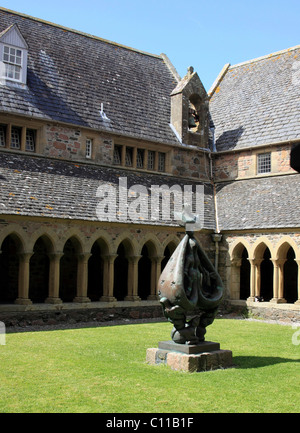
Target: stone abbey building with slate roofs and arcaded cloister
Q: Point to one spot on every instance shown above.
(80, 116)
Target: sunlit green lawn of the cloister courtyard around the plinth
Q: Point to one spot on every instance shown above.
(104, 370)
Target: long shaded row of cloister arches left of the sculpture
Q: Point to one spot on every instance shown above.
(46, 269)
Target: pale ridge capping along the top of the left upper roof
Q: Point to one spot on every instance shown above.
(80, 32)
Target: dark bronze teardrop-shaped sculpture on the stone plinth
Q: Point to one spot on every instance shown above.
(190, 284)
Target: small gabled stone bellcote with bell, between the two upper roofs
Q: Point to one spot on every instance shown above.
(189, 110)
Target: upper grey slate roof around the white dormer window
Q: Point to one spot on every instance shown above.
(70, 74)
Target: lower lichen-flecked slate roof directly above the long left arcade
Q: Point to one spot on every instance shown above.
(36, 186)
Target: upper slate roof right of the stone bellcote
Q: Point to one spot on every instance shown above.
(258, 102)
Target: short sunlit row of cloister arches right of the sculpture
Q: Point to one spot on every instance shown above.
(265, 272)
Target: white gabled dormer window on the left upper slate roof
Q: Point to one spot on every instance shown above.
(13, 56)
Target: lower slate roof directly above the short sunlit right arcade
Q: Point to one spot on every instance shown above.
(267, 202)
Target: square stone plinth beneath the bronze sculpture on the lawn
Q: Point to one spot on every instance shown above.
(205, 356)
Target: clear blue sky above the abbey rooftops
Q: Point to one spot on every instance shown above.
(205, 34)
